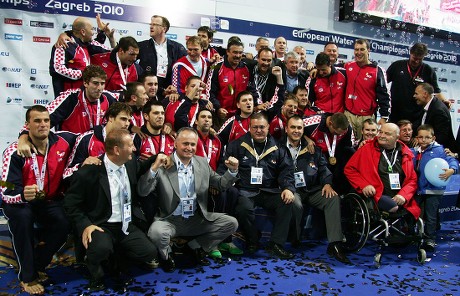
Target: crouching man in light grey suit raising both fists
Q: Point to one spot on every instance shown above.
(183, 193)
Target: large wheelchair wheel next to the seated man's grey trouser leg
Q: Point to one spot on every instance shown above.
(355, 222)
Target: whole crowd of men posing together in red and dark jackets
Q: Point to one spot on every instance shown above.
(133, 162)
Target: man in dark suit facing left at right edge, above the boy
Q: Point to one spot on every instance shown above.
(435, 114)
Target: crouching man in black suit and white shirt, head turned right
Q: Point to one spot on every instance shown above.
(102, 202)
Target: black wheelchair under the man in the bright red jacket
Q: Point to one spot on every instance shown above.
(362, 220)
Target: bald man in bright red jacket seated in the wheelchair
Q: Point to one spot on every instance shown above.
(383, 170)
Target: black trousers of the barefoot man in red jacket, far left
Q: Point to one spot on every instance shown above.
(25, 221)
